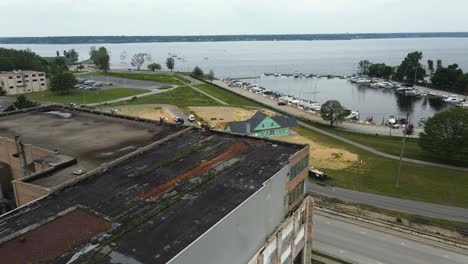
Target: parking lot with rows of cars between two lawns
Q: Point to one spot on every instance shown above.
(104, 82)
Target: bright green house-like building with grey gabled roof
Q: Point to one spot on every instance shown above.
(262, 125)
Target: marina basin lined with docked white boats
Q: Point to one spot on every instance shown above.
(367, 100)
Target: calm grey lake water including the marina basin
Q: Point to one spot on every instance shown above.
(236, 59)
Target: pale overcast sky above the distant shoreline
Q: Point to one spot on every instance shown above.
(215, 17)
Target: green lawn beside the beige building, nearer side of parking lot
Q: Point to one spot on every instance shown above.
(80, 96)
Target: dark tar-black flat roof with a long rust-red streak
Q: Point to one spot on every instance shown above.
(191, 181)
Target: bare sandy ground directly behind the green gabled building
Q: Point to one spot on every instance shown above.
(219, 116)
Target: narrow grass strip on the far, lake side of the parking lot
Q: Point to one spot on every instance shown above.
(155, 77)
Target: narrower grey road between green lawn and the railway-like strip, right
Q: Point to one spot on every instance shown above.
(396, 204)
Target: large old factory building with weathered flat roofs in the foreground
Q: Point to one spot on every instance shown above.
(148, 192)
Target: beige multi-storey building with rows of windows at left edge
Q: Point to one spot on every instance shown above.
(21, 82)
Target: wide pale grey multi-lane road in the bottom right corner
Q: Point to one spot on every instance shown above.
(360, 244)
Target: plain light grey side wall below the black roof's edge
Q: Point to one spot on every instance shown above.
(240, 235)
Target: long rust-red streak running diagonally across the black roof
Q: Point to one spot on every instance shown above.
(203, 167)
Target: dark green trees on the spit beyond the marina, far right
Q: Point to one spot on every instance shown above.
(412, 70)
